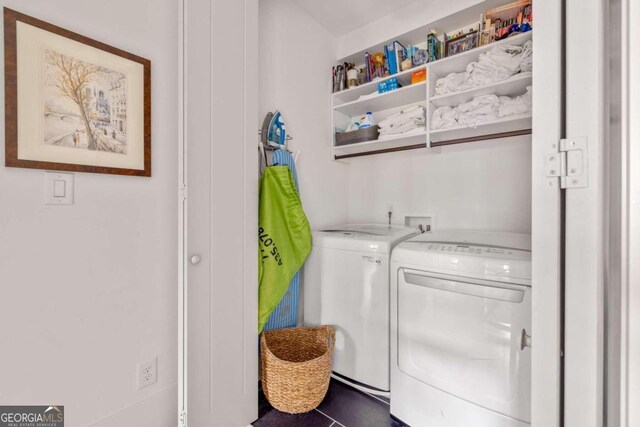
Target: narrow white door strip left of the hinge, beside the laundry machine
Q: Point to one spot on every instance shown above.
(546, 216)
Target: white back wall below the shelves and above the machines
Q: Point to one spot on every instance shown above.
(482, 185)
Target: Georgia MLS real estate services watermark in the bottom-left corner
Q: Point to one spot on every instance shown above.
(32, 416)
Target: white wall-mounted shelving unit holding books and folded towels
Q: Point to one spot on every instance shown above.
(346, 103)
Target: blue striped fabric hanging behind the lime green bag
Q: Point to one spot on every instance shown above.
(286, 313)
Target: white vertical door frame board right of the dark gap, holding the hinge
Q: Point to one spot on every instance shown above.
(584, 215)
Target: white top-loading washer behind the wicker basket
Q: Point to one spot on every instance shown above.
(346, 284)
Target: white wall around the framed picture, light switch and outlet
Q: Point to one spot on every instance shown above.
(89, 290)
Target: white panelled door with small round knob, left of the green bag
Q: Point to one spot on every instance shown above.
(219, 222)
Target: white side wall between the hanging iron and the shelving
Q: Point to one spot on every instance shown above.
(296, 56)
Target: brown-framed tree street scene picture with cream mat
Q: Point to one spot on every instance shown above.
(73, 103)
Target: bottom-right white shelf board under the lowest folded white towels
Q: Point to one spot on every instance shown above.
(505, 125)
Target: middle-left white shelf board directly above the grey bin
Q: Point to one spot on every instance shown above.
(395, 98)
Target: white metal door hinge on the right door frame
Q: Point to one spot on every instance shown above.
(569, 164)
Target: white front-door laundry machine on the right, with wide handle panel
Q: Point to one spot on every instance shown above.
(460, 319)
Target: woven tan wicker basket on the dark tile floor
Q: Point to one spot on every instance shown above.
(296, 367)
